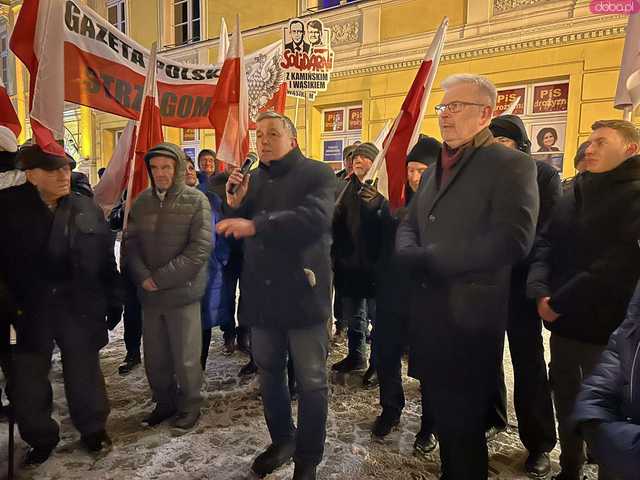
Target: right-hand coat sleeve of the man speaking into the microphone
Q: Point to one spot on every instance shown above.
(302, 225)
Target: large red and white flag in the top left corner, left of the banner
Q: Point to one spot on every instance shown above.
(37, 41)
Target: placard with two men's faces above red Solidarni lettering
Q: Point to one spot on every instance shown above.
(307, 58)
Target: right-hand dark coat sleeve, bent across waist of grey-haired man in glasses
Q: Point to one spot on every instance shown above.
(507, 238)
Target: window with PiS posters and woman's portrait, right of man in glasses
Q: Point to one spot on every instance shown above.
(543, 110)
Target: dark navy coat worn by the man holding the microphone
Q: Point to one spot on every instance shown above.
(286, 273)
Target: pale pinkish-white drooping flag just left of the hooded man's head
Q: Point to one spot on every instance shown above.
(108, 191)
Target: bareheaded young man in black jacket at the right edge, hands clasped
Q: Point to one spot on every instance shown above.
(586, 265)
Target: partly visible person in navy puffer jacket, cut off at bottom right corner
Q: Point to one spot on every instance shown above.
(608, 407)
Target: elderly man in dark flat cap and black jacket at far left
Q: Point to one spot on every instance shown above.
(57, 257)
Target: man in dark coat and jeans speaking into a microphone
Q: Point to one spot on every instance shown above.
(283, 210)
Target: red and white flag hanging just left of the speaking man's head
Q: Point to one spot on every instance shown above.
(229, 114)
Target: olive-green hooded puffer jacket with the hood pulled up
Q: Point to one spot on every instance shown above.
(170, 240)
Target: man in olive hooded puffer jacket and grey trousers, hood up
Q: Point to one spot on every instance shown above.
(166, 249)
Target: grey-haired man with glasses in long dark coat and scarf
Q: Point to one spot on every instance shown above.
(472, 219)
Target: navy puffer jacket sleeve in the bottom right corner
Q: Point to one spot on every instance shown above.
(614, 442)
